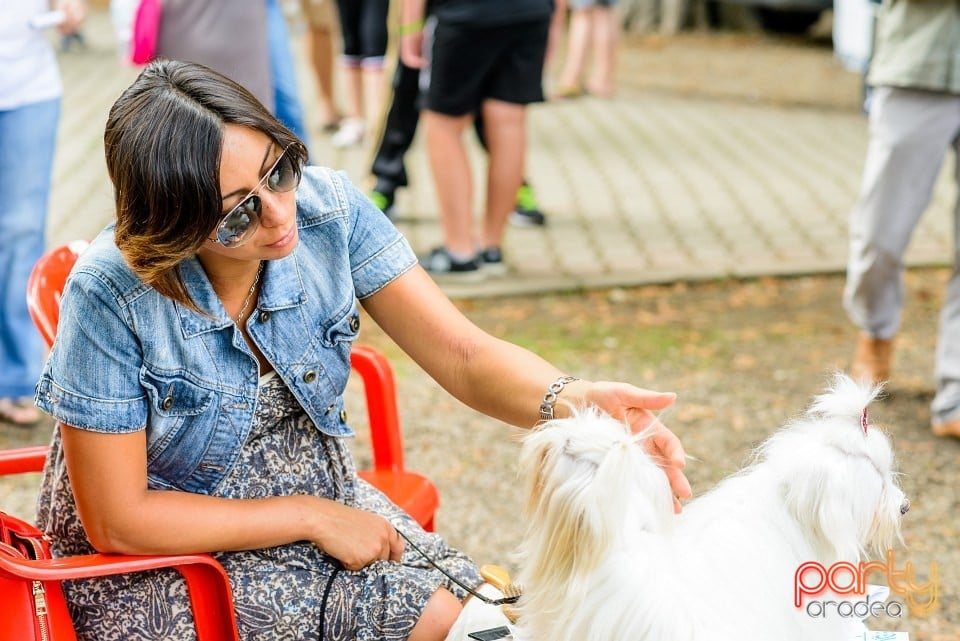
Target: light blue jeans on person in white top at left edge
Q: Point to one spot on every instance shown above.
(27, 141)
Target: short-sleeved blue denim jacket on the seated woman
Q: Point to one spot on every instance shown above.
(127, 358)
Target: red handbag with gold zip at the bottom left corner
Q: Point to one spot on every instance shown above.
(32, 610)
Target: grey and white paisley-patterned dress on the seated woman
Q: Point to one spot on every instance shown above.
(278, 592)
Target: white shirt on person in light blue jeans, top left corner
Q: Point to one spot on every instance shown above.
(28, 63)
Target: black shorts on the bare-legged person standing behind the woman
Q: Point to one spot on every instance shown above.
(470, 64)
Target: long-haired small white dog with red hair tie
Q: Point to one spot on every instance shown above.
(604, 557)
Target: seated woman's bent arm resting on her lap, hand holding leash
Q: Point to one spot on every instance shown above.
(120, 514)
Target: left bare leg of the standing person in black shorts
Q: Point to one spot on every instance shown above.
(453, 180)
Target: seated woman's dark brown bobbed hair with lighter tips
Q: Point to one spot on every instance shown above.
(163, 142)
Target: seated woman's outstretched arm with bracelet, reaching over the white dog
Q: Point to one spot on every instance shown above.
(501, 379)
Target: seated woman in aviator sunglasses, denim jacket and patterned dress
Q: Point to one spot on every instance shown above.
(198, 373)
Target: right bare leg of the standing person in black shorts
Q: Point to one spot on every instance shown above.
(506, 133)
